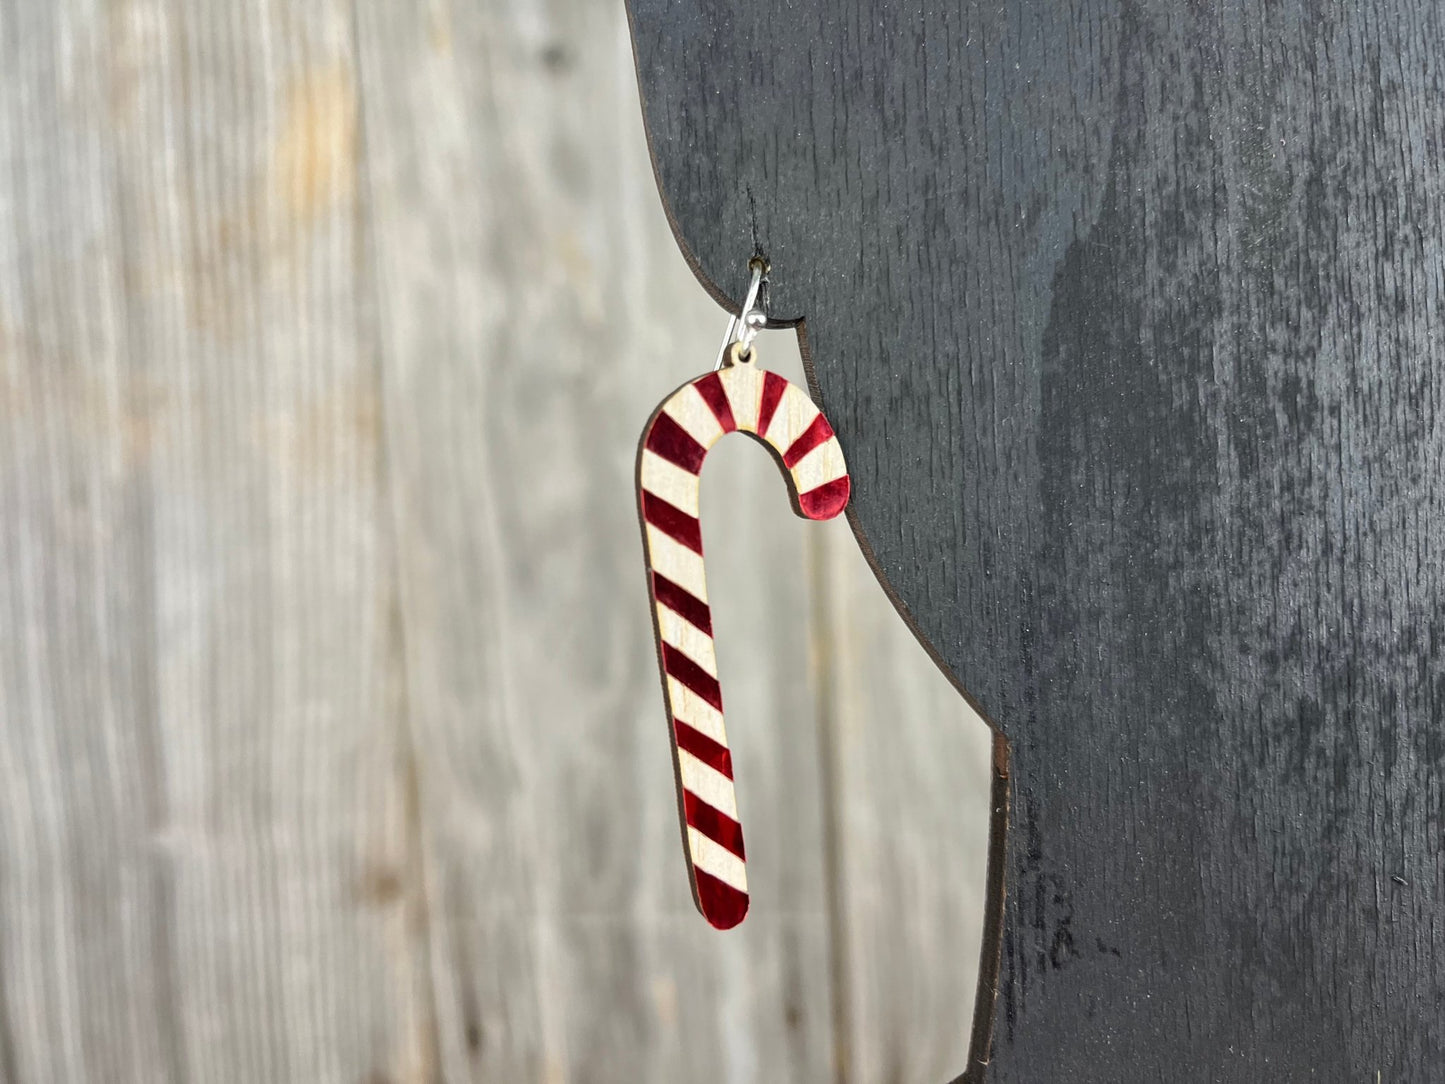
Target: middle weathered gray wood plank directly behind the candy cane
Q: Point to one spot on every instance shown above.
(538, 311)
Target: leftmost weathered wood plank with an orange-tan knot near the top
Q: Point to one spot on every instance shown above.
(196, 757)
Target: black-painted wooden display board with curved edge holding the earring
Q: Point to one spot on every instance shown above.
(1131, 320)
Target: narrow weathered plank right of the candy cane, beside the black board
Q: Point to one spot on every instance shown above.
(910, 768)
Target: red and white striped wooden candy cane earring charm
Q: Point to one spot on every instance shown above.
(674, 446)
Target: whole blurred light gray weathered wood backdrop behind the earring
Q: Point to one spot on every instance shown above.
(332, 744)
